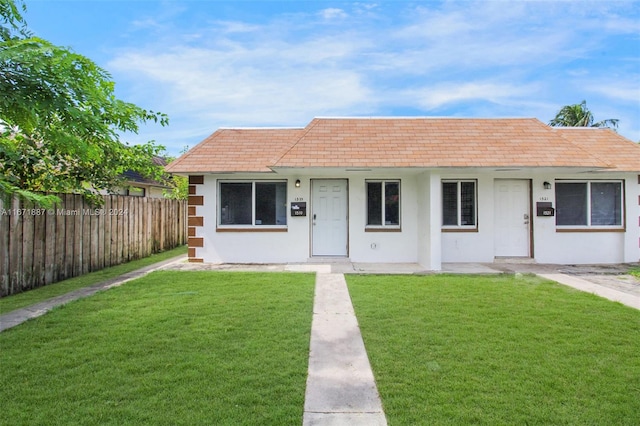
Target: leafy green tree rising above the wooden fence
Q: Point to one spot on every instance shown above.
(60, 122)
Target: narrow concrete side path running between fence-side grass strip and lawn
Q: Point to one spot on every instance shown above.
(19, 316)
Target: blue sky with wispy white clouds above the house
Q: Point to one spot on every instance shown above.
(210, 64)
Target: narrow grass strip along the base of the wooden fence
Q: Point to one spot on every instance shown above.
(31, 297)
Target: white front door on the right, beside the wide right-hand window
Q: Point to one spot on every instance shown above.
(512, 218)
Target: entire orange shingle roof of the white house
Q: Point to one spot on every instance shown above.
(412, 143)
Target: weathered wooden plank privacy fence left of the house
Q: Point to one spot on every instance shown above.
(42, 246)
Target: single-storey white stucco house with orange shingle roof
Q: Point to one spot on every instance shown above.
(414, 190)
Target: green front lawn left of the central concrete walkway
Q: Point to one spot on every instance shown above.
(171, 348)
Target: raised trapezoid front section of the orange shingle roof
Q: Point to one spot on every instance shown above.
(425, 142)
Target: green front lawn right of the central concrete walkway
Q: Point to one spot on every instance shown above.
(492, 350)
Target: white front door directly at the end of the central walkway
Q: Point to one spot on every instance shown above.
(329, 217)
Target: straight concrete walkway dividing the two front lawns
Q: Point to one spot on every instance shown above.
(341, 389)
